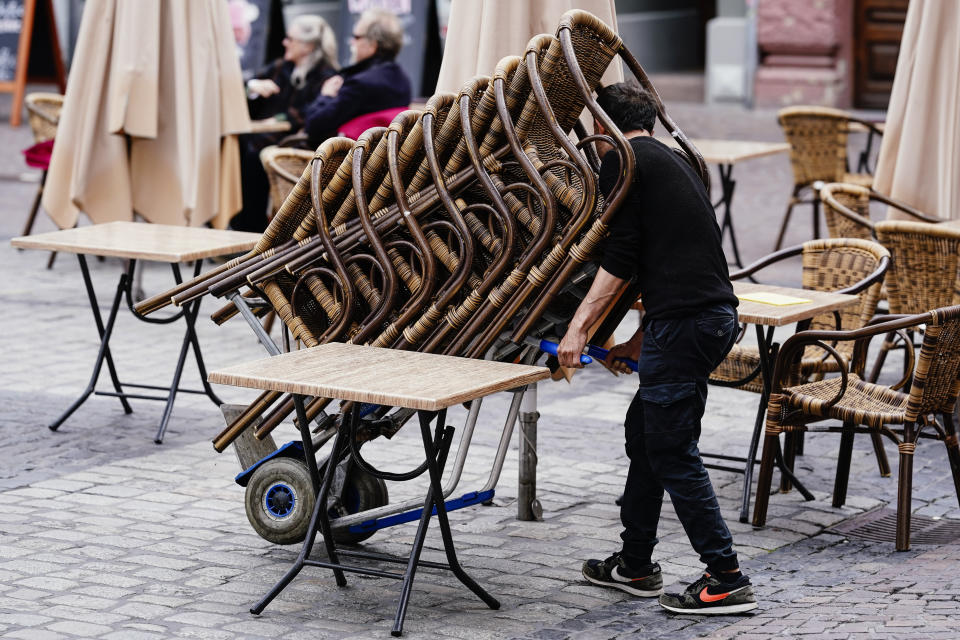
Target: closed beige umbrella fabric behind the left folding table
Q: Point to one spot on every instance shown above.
(155, 90)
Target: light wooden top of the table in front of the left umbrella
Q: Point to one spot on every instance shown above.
(142, 241)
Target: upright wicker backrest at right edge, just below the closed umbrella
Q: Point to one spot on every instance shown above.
(926, 259)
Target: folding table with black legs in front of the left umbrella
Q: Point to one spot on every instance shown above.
(140, 241)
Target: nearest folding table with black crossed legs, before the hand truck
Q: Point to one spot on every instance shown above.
(427, 383)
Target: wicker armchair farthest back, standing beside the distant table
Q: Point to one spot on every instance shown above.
(818, 153)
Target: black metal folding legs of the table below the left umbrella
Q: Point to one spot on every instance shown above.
(189, 314)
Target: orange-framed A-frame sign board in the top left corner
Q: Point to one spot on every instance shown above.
(20, 21)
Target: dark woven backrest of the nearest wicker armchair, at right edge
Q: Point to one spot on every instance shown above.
(936, 379)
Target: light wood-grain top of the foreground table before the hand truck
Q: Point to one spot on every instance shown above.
(381, 376)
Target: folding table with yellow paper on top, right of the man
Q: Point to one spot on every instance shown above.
(762, 315)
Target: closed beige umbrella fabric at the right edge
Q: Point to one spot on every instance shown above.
(919, 160)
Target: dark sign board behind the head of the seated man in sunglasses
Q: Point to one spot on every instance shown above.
(421, 40)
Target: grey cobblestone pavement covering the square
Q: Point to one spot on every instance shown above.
(105, 535)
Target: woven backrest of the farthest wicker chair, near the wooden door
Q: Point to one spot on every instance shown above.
(818, 143)
